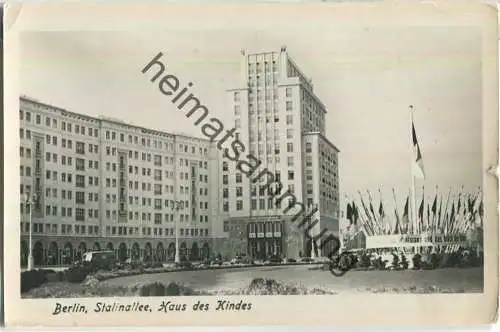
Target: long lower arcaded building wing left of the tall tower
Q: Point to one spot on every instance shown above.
(103, 184)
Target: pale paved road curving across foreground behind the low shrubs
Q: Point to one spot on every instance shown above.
(469, 280)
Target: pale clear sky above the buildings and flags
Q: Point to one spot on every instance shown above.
(367, 76)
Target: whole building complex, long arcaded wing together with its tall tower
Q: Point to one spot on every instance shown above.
(100, 183)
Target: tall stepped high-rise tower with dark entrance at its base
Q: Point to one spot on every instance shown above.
(282, 123)
